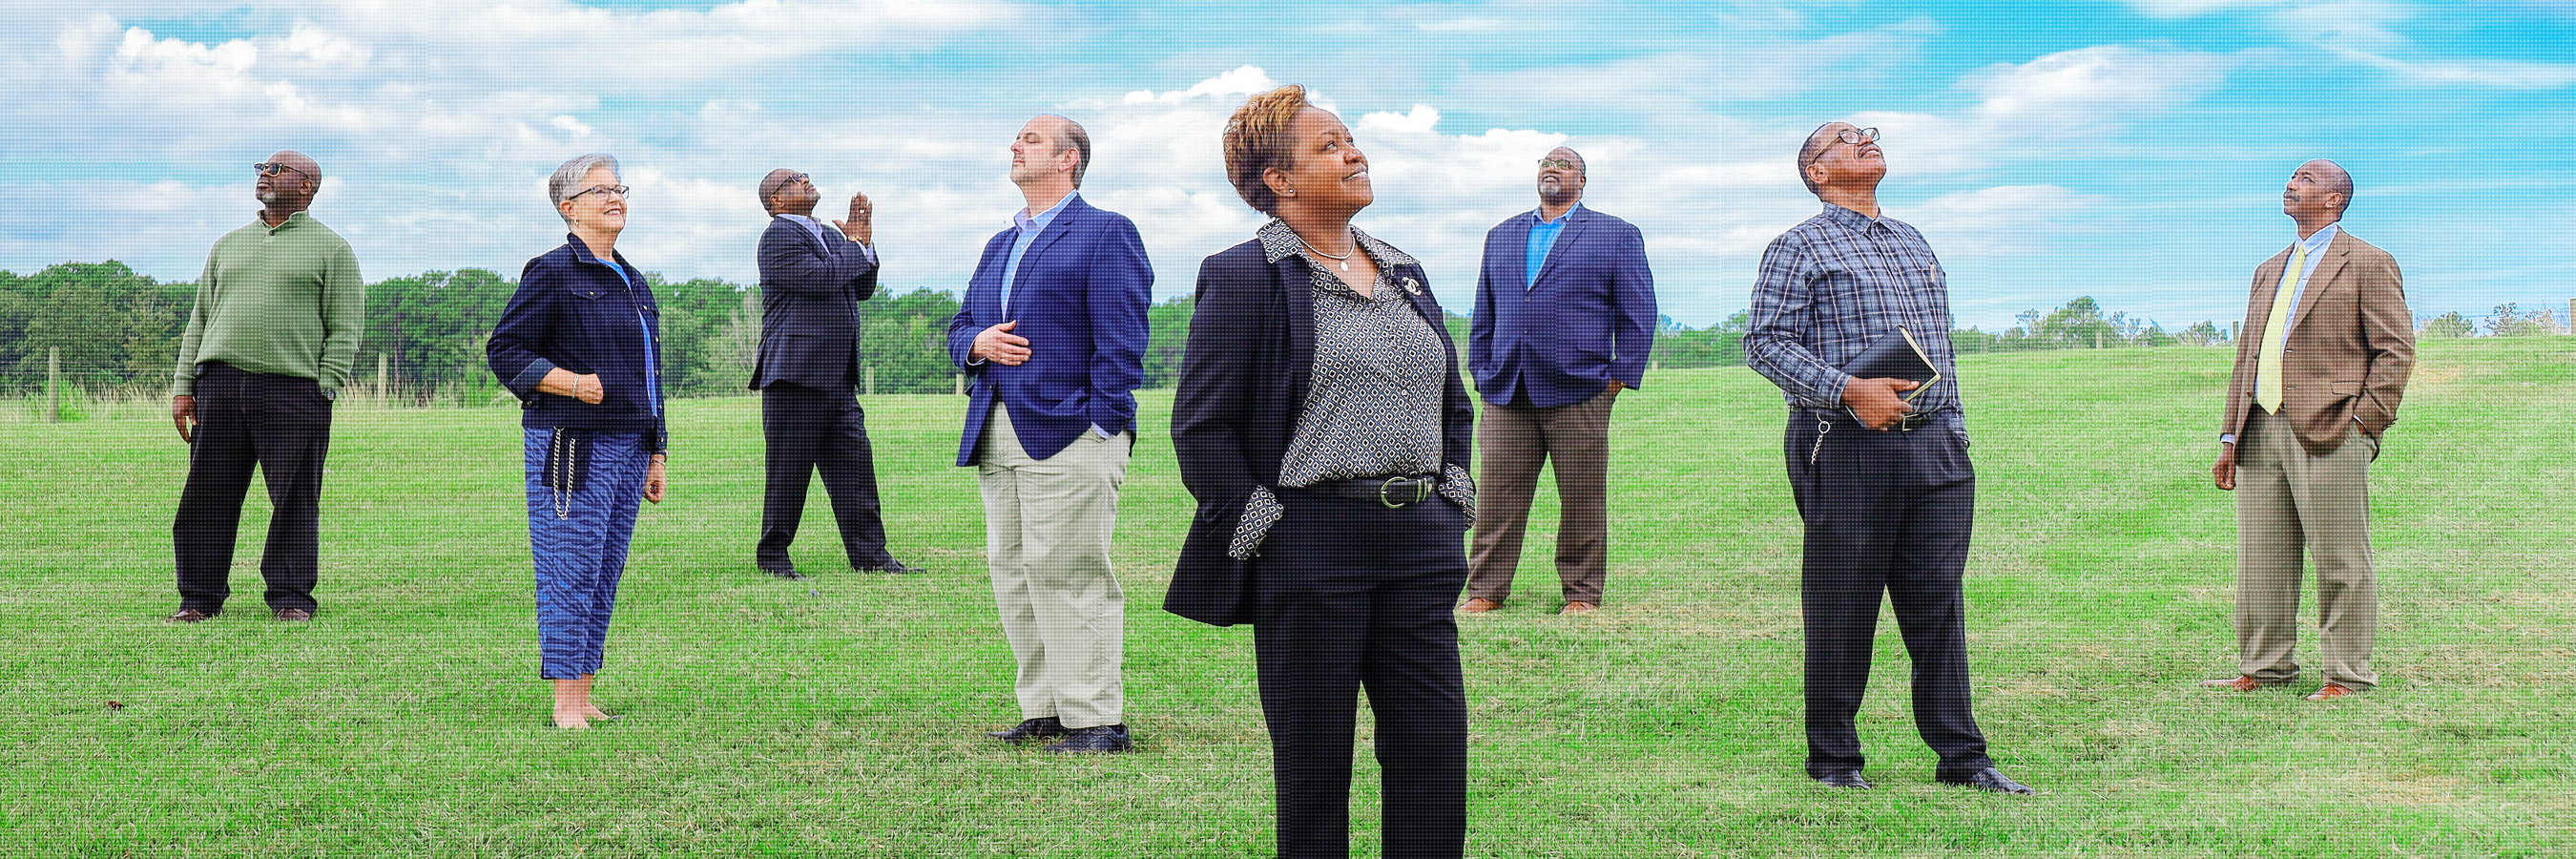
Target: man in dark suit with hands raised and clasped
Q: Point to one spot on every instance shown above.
(813, 280)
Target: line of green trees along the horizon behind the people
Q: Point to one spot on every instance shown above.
(120, 331)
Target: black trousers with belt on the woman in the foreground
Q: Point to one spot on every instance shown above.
(1351, 597)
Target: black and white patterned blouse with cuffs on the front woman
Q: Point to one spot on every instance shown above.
(1374, 396)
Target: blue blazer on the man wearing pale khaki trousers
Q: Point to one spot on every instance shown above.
(1081, 306)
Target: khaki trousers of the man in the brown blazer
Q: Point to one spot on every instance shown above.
(2289, 499)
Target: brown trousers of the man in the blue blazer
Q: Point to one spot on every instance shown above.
(1516, 440)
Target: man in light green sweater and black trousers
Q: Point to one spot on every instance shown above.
(269, 344)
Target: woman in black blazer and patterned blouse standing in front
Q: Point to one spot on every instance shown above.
(1325, 432)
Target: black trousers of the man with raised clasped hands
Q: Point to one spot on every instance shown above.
(818, 429)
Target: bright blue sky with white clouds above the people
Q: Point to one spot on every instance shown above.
(2126, 151)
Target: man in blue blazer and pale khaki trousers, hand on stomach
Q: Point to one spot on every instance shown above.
(1052, 337)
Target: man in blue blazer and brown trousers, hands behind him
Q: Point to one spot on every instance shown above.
(1565, 321)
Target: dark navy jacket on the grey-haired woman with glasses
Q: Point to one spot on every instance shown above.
(583, 316)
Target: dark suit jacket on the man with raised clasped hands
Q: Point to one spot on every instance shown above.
(810, 295)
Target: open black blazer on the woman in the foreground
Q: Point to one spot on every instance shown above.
(1243, 388)
